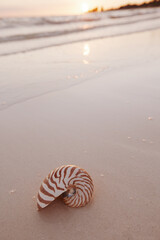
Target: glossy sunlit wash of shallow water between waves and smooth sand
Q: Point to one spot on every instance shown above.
(81, 67)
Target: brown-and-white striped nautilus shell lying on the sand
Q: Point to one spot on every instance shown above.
(71, 182)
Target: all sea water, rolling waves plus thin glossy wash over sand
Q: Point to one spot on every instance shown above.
(47, 54)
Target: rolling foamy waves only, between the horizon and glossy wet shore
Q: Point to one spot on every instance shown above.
(28, 34)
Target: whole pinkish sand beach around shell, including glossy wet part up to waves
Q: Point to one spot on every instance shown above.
(103, 116)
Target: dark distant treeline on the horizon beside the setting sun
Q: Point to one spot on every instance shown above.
(153, 3)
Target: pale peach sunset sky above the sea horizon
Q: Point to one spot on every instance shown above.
(11, 8)
